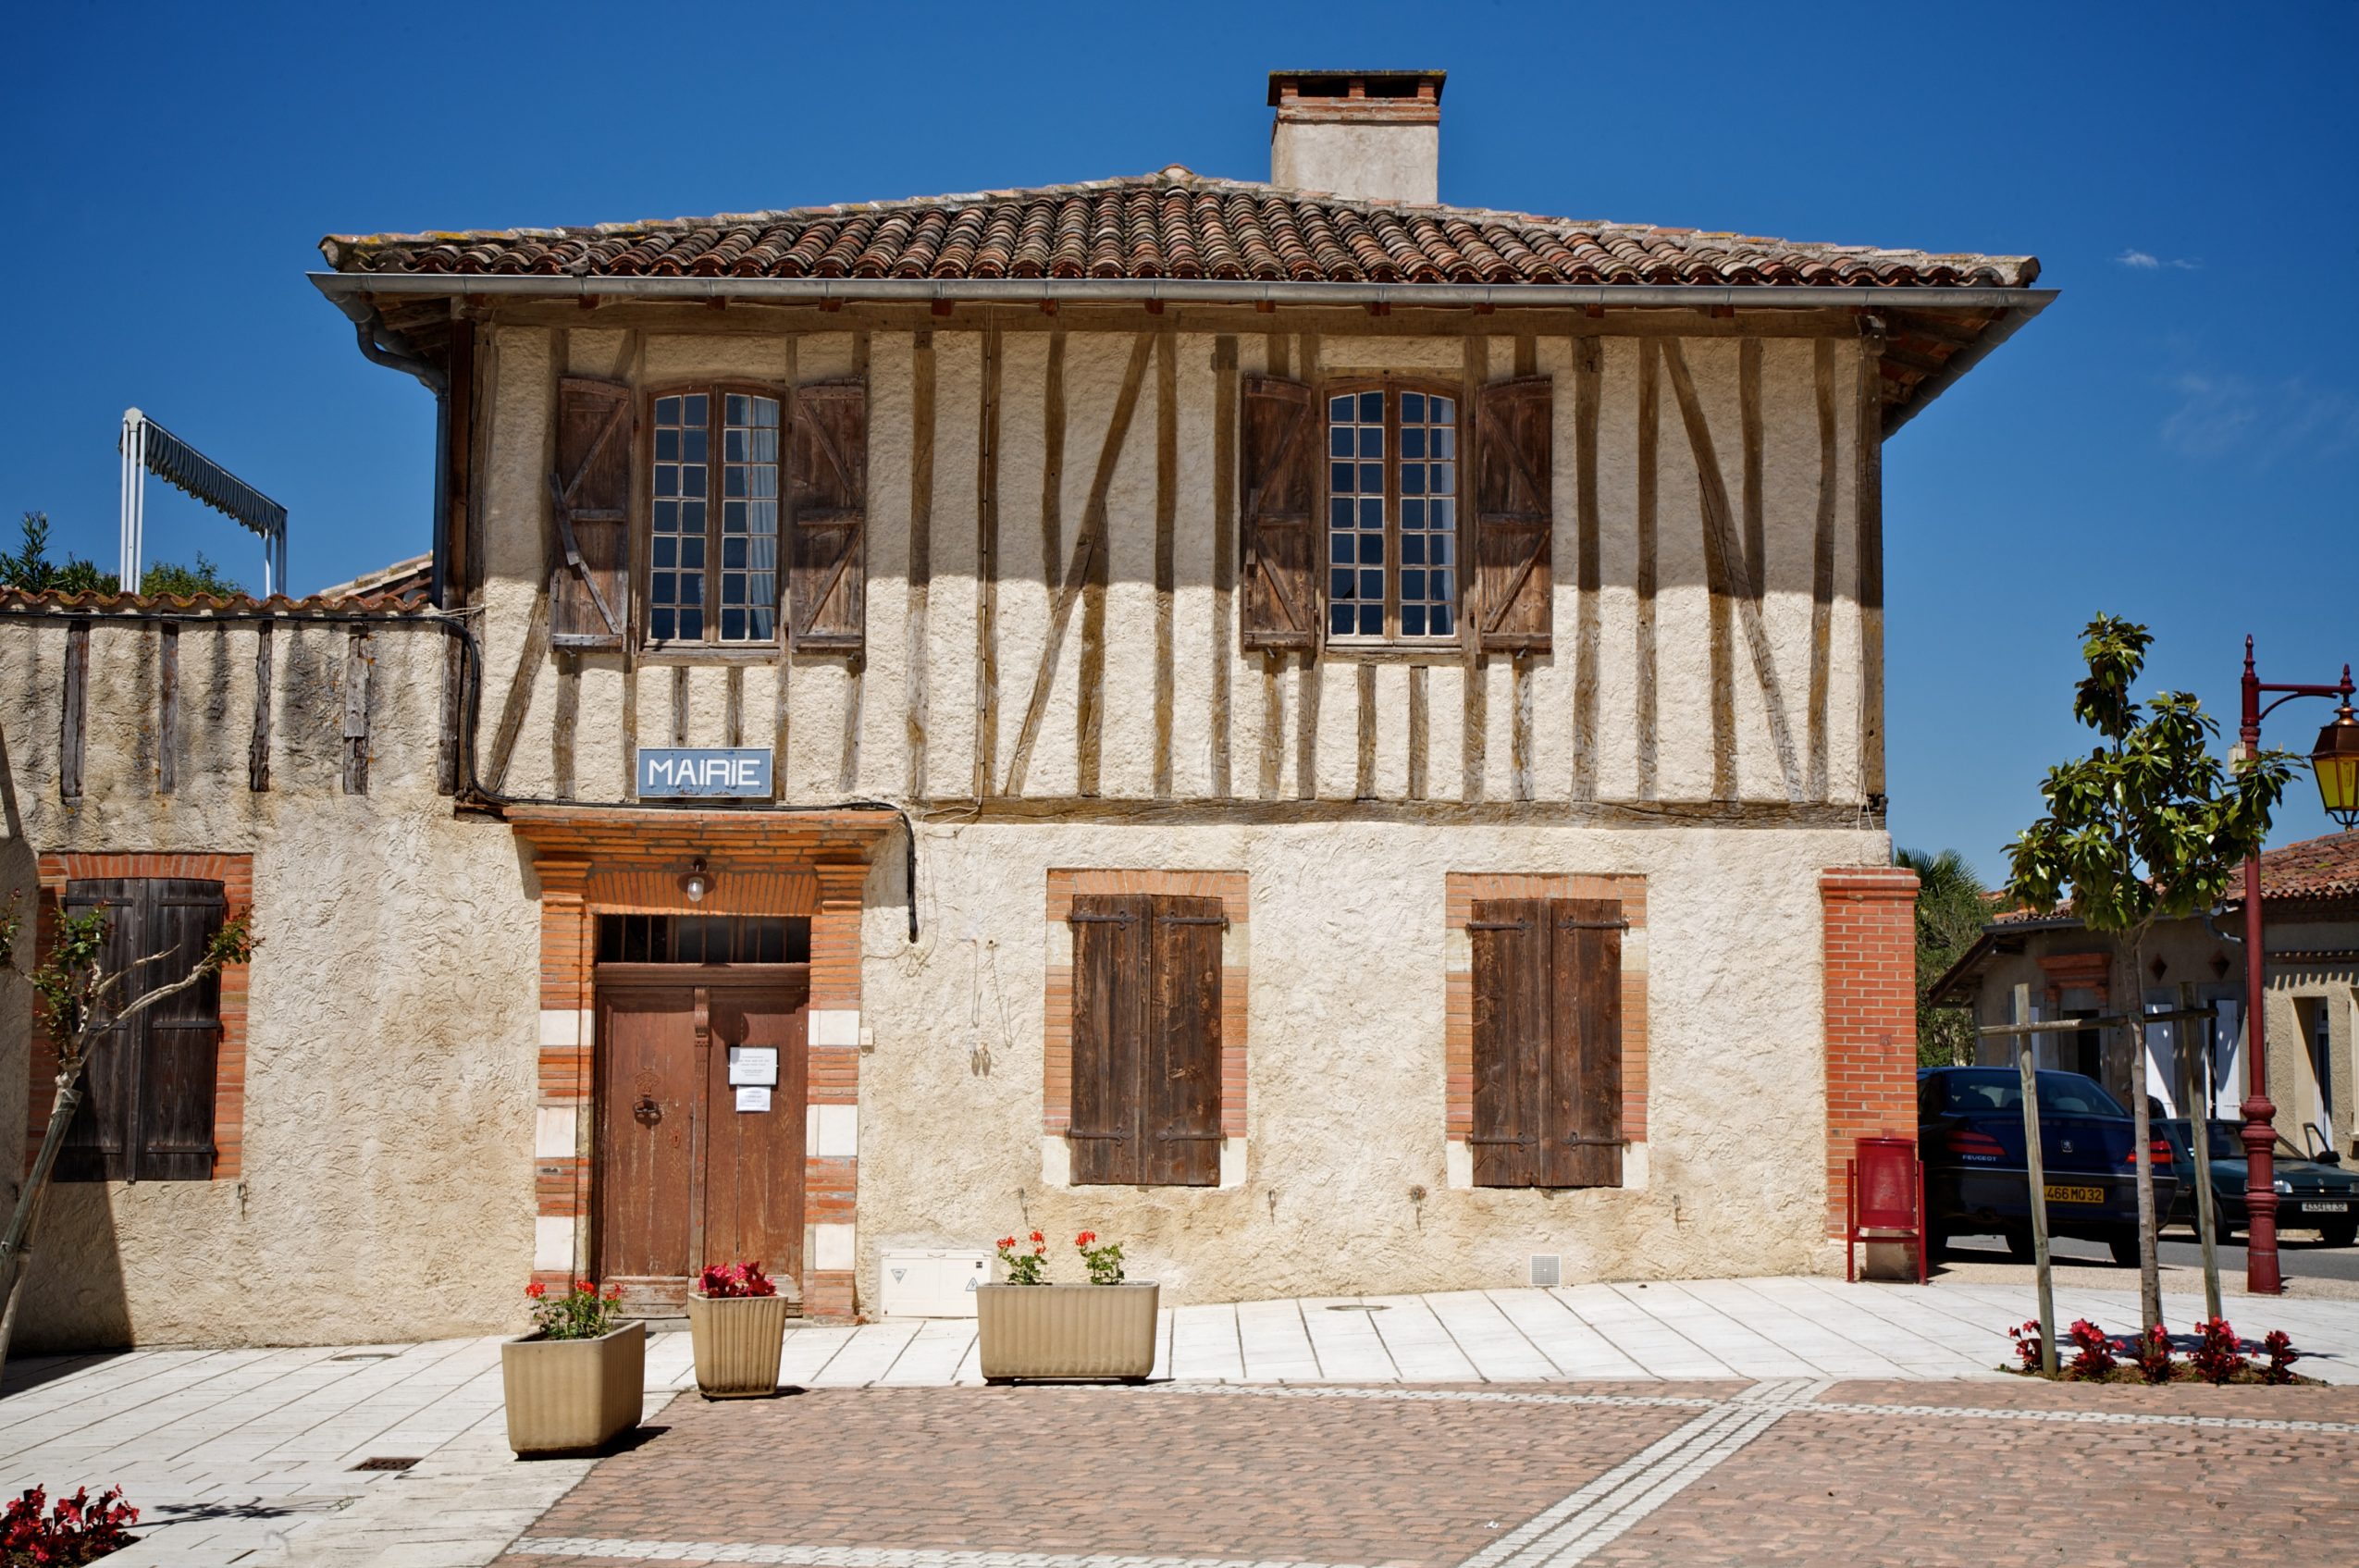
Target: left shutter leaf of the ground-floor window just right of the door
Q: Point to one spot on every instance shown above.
(1112, 954)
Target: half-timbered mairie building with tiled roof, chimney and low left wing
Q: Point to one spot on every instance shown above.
(1327, 737)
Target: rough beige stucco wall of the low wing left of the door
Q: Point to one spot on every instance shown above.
(388, 1182)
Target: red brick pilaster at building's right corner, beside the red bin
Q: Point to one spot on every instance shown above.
(1870, 1015)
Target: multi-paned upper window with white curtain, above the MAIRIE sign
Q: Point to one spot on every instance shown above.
(714, 520)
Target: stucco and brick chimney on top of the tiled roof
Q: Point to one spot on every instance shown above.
(1374, 136)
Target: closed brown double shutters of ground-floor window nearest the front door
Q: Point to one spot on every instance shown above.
(1145, 1041)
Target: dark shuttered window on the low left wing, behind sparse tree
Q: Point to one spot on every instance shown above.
(147, 1112)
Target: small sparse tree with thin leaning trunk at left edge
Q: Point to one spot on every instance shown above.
(84, 999)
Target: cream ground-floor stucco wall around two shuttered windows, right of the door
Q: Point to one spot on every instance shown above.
(1348, 970)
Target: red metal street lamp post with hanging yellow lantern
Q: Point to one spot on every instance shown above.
(2337, 763)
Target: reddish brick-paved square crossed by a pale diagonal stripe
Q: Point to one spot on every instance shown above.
(1294, 1477)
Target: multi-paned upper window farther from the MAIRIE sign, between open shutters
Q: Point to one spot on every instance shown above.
(1393, 515)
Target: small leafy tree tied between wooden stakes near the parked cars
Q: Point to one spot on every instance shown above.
(2150, 826)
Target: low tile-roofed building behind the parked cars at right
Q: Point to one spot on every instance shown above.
(2311, 904)
